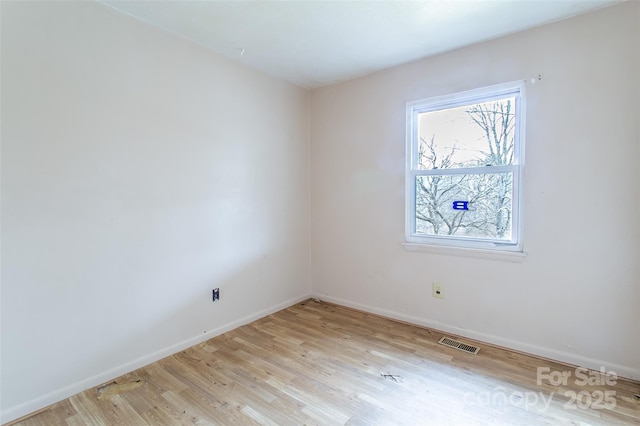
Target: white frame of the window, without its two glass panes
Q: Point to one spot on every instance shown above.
(484, 94)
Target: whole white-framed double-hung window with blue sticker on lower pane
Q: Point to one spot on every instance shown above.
(463, 170)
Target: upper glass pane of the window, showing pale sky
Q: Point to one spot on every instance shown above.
(474, 135)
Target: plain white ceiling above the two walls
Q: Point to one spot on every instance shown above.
(316, 43)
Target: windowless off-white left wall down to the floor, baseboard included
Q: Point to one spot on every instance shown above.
(139, 171)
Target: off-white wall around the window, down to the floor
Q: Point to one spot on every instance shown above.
(576, 296)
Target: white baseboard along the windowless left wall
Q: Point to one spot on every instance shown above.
(43, 401)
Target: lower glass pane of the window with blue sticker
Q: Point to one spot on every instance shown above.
(465, 205)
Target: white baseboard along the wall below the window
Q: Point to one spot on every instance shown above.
(548, 353)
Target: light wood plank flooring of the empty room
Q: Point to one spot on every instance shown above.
(320, 364)
